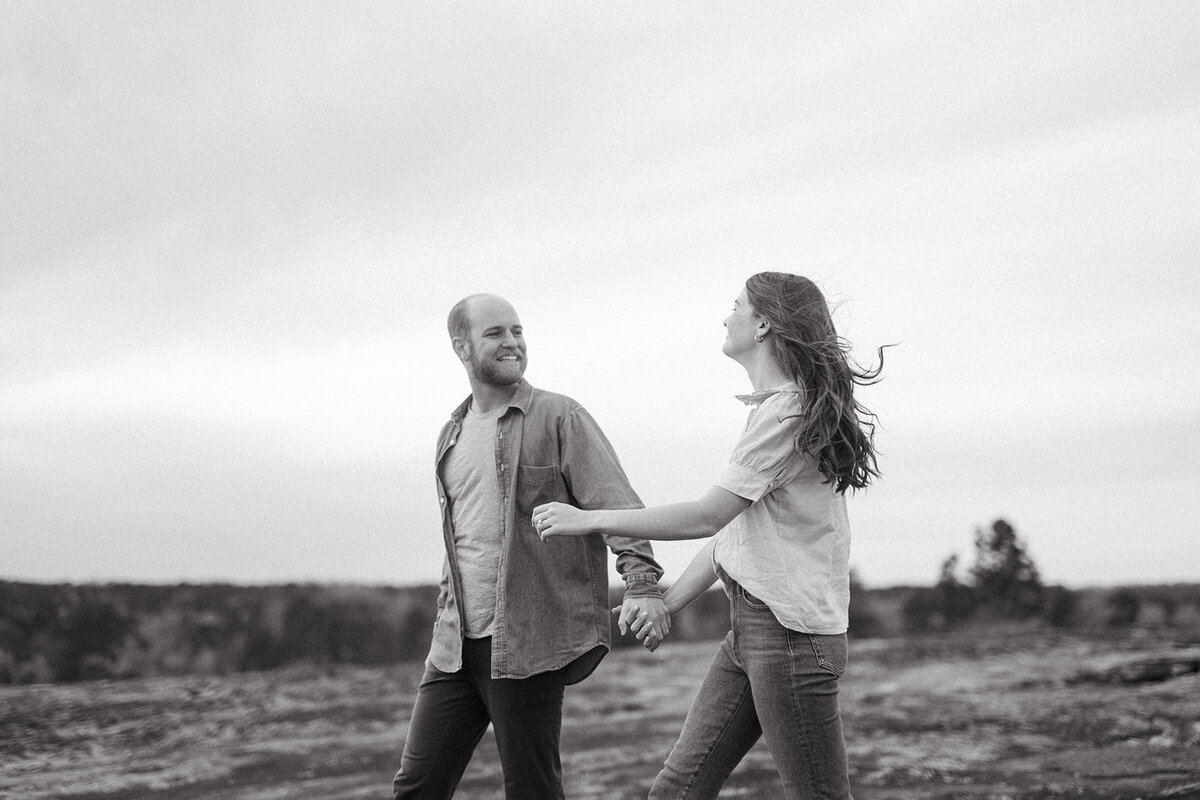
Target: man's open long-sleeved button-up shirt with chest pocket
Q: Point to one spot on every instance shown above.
(553, 601)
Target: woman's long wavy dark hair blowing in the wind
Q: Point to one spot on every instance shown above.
(835, 429)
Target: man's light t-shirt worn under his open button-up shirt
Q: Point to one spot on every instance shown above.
(476, 508)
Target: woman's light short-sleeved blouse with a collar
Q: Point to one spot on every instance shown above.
(791, 546)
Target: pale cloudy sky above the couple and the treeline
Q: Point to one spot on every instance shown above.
(231, 234)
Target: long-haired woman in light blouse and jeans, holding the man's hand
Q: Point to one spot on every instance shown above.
(779, 539)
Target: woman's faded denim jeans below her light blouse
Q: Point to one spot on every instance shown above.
(765, 681)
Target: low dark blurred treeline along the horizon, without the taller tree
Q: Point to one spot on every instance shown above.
(63, 633)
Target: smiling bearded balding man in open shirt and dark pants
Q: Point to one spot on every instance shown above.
(519, 619)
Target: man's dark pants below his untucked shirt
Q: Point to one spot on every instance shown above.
(452, 714)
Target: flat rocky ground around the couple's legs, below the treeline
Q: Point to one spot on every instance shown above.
(982, 717)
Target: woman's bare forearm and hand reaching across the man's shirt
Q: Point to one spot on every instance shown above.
(693, 520)
